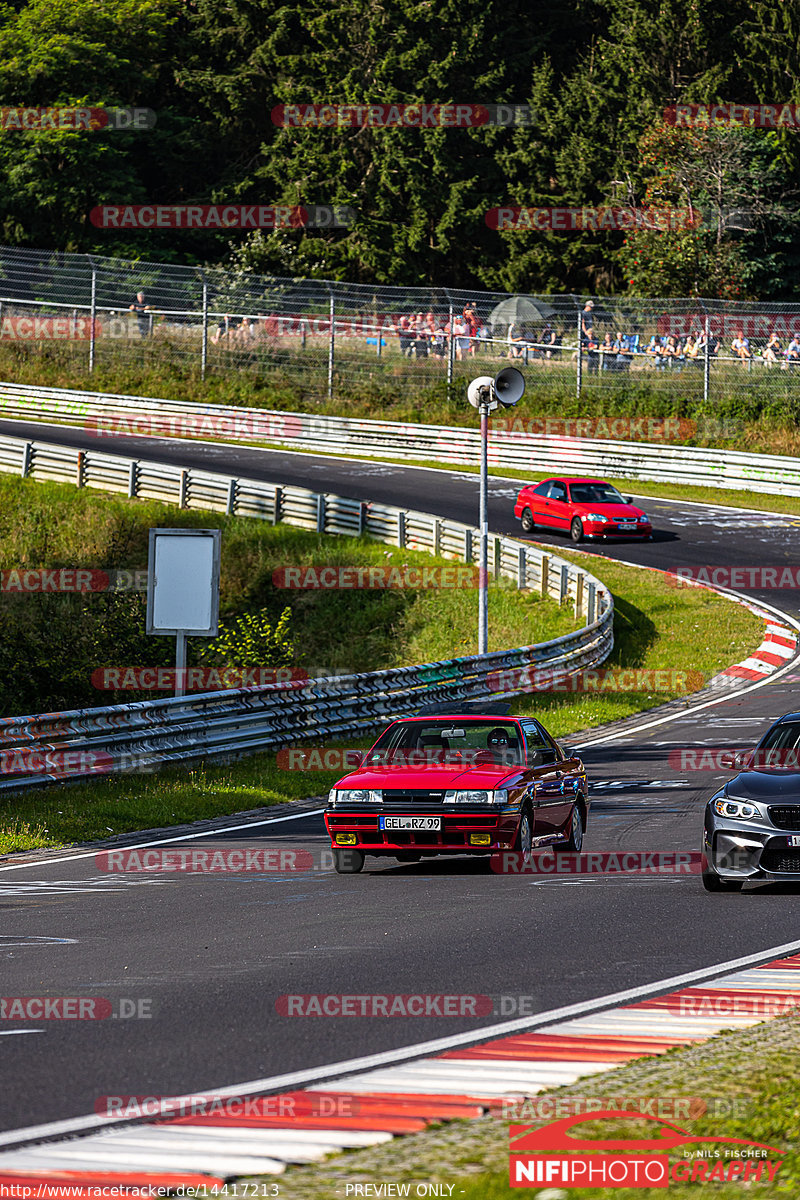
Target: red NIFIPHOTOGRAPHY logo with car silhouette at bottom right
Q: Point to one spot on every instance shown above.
(550, 1155)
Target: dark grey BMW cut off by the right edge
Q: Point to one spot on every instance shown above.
(753, 825)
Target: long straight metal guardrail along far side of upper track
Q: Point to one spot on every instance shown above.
(107, 416)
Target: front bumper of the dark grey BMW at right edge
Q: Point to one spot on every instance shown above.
(741, 850)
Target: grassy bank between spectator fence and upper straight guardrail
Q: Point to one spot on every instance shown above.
(748, 411)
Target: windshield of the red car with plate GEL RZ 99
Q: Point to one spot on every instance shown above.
(450, 741)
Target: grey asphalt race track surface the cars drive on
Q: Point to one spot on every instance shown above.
(208, 956)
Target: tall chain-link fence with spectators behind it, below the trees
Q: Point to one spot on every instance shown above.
(329, 338)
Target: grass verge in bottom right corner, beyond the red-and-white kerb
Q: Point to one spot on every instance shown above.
(748, 1082)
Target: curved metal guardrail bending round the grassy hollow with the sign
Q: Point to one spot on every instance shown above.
(154, 733)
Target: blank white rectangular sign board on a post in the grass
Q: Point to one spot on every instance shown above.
(184, 583)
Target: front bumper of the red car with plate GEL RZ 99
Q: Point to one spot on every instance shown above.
(460, 833)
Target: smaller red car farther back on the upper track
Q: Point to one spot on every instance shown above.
(584, 508)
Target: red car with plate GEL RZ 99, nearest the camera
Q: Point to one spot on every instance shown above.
(459, 784)
